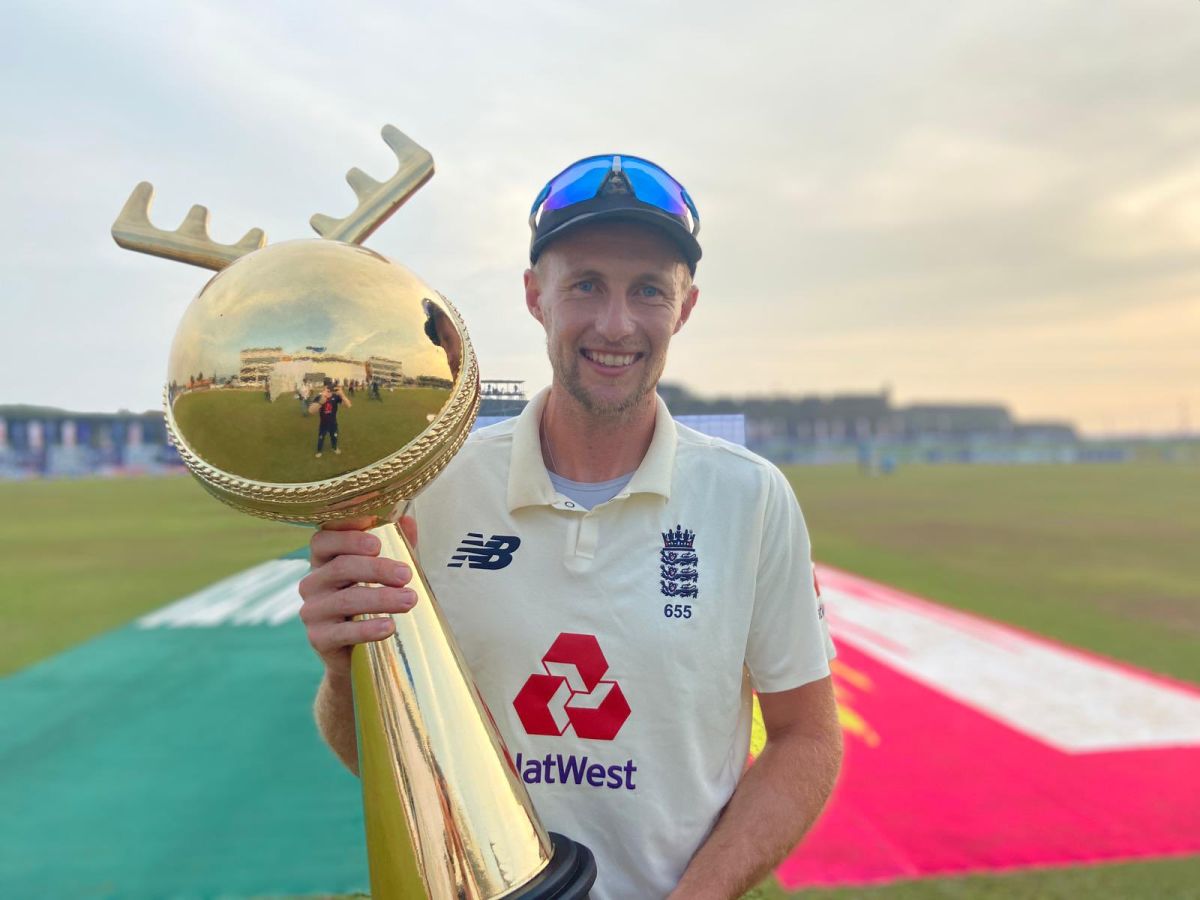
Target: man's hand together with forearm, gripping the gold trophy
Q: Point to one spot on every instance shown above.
(334, 592)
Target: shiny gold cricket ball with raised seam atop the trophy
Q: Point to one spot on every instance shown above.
(314, 380)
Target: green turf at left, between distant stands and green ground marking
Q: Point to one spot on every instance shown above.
(81, 557)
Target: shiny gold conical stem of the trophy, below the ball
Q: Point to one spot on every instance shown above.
(446, 814)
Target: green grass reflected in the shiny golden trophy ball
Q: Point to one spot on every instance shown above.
(275, 442)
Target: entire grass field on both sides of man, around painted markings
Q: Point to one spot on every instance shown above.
(1100, 557)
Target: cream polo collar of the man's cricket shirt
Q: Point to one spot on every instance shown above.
(530, 483)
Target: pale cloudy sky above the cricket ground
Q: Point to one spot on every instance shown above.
(981, 202)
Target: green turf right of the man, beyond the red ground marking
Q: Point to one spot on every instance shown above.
(1102, 557)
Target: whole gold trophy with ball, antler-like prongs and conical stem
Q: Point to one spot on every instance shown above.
(315, 381)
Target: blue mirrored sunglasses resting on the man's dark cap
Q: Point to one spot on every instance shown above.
(650, 183)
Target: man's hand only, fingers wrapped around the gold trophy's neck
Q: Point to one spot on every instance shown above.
(343, 559)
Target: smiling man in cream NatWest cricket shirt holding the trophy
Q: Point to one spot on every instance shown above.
(637, 581)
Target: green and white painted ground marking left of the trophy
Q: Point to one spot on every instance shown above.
(178, 758)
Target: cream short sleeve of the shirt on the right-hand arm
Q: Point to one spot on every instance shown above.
(789, 644)
